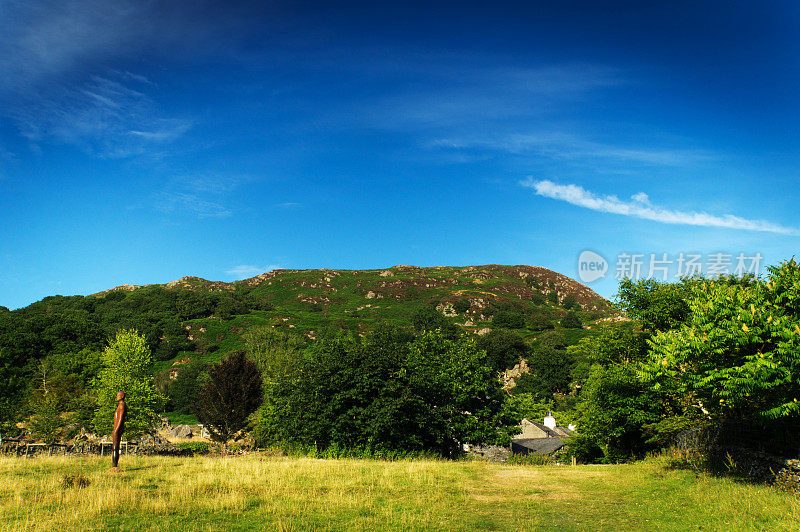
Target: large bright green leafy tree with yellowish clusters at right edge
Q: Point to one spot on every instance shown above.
(737, 353)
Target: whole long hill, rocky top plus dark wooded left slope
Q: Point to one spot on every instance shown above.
(200, 319)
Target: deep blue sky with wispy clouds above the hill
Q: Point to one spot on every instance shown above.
(144, 141)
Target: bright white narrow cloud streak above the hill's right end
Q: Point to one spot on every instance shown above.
(639, 206)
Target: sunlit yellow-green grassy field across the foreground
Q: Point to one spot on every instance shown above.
(277, 493)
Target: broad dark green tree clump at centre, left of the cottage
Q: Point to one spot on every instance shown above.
(429, 394)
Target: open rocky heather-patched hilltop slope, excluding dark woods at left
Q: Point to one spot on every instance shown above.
(307, 301)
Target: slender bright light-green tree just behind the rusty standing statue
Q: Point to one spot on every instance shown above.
(128, 367)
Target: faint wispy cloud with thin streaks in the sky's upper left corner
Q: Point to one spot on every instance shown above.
(58, 82)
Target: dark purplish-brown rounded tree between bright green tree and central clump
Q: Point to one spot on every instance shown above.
(231, 394)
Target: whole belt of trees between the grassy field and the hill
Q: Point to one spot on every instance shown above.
(697, 352)
